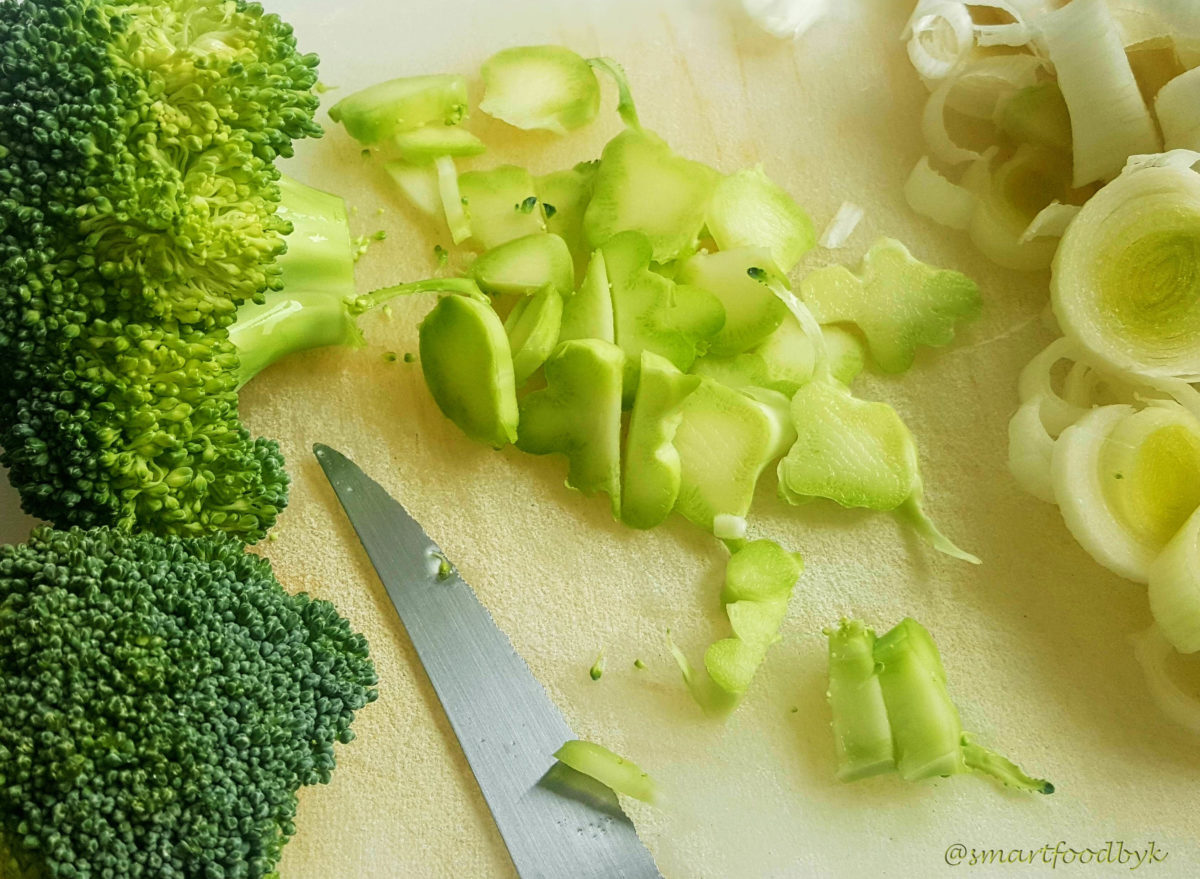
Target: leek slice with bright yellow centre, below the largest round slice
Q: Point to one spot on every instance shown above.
(1127, 481)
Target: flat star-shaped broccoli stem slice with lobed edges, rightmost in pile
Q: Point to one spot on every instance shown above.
(898, 302)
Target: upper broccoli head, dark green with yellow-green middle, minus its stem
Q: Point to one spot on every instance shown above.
(139, 210)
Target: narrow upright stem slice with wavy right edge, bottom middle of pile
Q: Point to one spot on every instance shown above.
(652, 467)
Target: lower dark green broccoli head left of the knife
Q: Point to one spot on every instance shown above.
(164, 701)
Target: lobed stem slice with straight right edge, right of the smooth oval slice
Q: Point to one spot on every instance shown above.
(579, 415)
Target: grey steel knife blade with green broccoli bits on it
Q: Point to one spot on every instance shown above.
(557, 824)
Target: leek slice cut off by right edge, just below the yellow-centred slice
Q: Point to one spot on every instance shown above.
(1175, 588)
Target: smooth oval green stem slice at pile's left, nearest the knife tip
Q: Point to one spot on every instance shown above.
(469, 369)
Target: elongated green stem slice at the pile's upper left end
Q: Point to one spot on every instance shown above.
(385, 110)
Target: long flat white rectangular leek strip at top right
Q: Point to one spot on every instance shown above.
(1109, 118)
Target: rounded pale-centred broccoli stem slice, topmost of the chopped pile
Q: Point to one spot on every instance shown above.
(541, 87)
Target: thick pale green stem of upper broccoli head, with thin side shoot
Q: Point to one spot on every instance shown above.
(317, 306)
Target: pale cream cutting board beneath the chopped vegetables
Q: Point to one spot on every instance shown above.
(1035, 641)
